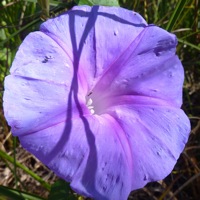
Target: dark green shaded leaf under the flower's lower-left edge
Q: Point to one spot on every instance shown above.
(61, 190)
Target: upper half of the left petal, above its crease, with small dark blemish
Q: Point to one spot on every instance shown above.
(39, 57)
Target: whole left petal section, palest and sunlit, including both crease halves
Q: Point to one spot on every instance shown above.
(39, 91)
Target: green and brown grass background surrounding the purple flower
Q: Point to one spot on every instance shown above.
(23, 177)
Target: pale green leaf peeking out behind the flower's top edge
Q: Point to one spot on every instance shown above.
(98, 2)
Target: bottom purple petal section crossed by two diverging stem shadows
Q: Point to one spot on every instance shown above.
(88, 152)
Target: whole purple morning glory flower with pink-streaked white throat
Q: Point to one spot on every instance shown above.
(96, 96)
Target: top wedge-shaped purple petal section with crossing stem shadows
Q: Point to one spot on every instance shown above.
(83, 33)
